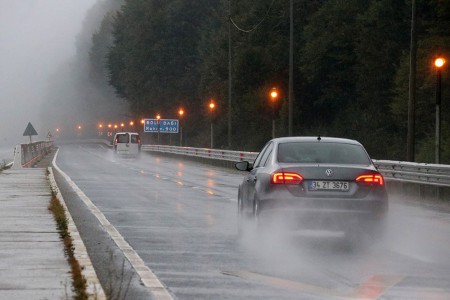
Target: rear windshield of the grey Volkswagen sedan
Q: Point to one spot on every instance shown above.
(324, 153)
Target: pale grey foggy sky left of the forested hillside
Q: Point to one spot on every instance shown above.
(37, 38)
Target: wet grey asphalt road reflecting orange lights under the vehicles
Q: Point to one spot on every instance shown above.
(180, 218)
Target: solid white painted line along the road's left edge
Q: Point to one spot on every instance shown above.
(148, 278)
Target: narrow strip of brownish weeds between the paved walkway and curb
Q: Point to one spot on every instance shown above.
(78, 280)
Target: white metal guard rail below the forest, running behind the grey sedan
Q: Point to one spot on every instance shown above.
(418, 173)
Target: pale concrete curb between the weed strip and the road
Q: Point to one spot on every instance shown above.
(94, 288)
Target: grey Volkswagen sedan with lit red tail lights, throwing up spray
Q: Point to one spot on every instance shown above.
(313, 183)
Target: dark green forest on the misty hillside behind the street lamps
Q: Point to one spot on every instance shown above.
(351, 69)
